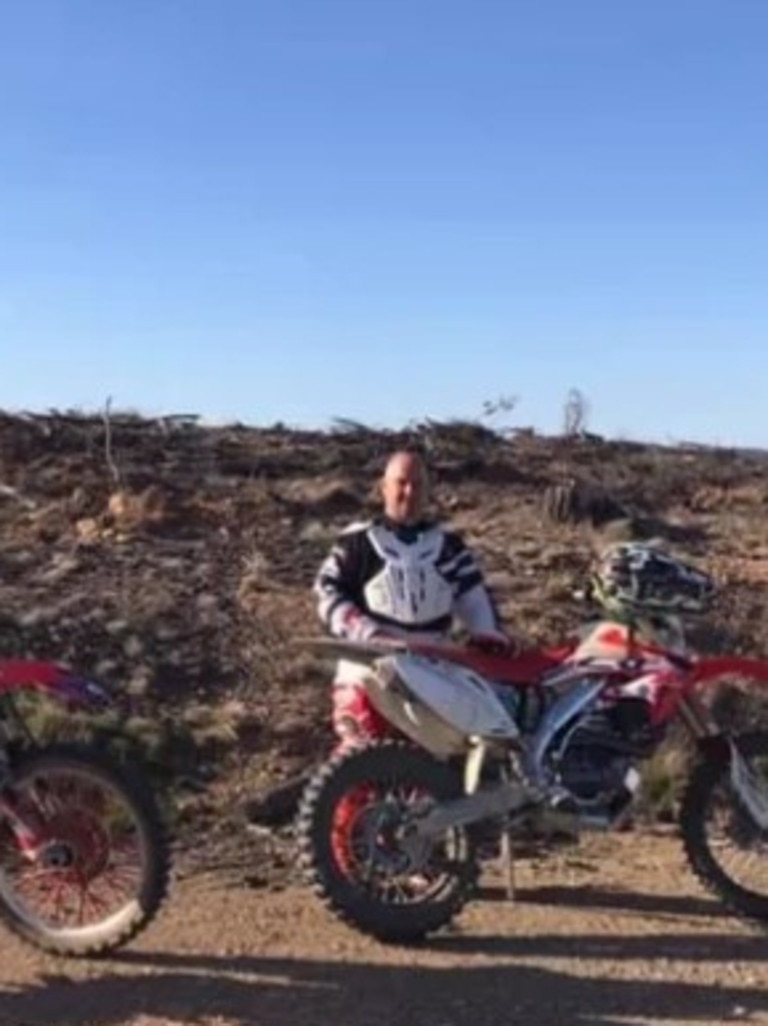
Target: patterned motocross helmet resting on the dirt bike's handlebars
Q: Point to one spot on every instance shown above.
(635, 580)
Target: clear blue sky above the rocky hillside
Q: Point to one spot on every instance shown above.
(303, 210)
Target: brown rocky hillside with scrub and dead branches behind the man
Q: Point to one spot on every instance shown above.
(175, 561)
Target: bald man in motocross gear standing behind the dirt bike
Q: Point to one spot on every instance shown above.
(397, 576)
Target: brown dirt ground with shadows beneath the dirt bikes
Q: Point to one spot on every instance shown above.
(614, 932)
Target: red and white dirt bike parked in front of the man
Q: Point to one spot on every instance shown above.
(390, 836)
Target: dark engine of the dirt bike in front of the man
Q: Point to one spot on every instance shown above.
(595, 757)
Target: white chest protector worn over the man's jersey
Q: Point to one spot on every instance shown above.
(409, 589)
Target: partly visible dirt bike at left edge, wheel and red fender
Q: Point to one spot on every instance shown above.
(85, 855)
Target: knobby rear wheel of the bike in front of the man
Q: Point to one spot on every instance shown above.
(349, 828)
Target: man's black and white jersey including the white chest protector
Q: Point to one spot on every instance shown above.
(383, 576)
